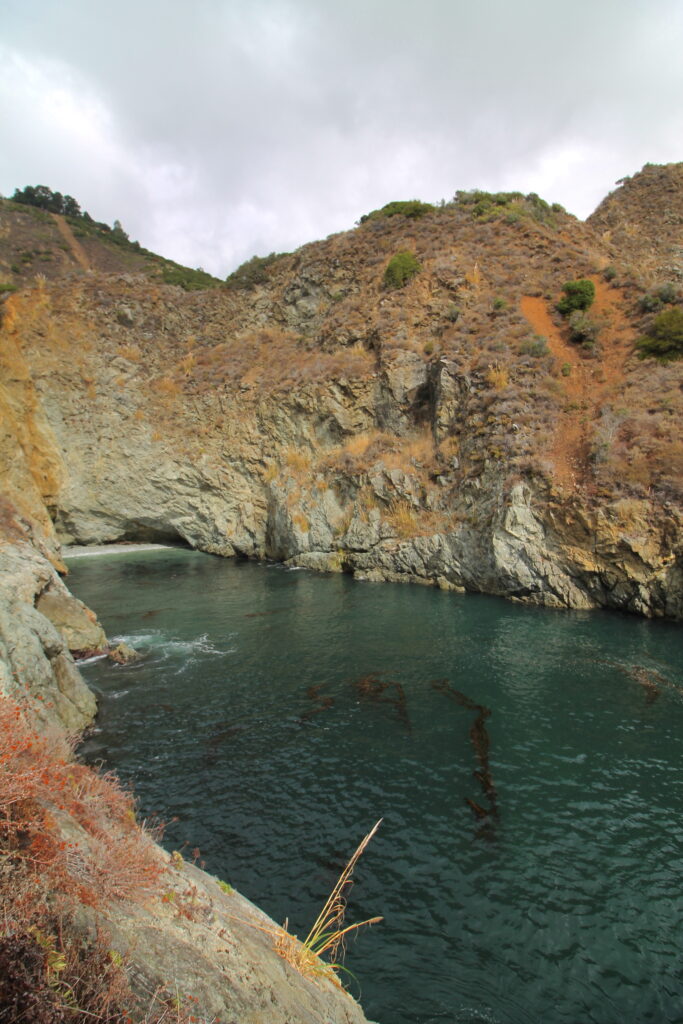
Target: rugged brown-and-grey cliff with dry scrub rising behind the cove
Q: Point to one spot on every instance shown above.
(455, 431)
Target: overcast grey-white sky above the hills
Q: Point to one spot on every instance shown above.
(220, 130)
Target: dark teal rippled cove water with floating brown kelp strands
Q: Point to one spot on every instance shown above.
(277, 715)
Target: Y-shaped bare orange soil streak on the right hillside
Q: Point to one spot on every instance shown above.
(591, 383)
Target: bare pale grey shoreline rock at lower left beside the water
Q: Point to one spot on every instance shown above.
(189, 933)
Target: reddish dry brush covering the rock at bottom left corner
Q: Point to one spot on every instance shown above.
(68, 839)
